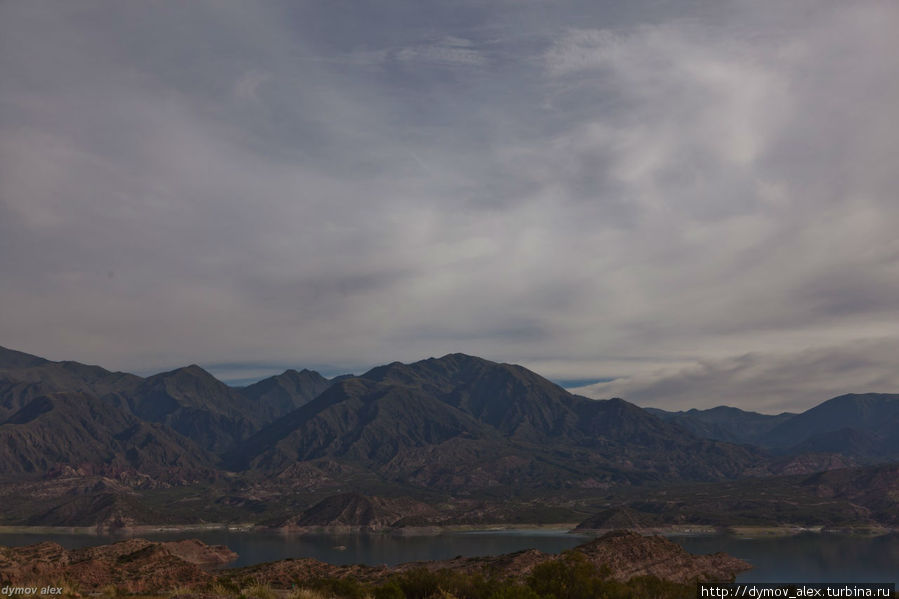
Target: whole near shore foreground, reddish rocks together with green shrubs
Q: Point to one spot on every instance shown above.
(604, 565)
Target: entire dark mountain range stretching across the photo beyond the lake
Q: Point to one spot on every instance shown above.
(456, 426)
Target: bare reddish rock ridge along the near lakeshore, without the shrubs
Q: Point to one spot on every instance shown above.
(141, 566)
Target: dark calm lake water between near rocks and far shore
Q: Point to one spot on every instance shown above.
(802, 558)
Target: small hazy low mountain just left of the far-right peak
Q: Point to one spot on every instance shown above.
(724, 423)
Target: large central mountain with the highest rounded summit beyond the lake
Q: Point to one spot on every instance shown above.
(463, 422)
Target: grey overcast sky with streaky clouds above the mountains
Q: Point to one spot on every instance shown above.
(694, 203)
